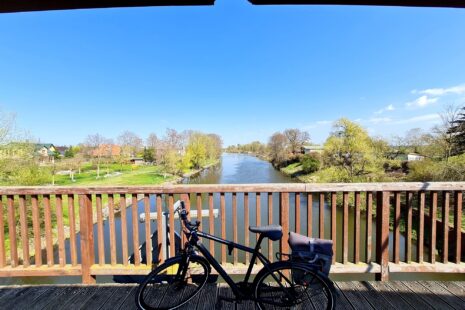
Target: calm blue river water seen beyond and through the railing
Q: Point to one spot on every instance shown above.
(233, 168)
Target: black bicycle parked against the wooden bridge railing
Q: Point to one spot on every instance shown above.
(285, 284)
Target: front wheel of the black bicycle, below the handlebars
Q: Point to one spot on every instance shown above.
(173, 283)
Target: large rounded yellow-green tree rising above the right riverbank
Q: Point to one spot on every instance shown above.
(350, 149)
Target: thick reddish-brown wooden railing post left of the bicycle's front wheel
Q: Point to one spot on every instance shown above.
(87, 238)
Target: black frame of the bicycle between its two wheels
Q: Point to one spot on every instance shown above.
(194, 240)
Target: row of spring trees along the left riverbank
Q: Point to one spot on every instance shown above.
(174, 153)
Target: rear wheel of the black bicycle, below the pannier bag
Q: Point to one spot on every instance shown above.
(292, 286)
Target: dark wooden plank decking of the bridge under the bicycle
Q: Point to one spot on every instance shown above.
(351, 295)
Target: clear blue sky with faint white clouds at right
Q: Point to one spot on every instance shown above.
(235, 69)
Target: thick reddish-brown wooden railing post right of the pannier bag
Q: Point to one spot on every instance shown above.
(382, 235)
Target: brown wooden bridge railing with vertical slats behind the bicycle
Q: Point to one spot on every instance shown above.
(56, 231)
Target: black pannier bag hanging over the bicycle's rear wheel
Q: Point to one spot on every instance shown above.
(317, 252)
